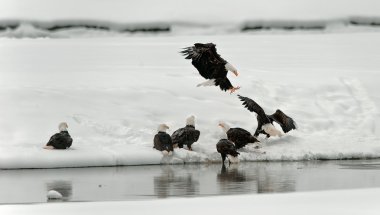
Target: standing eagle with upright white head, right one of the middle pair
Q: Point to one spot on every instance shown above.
(186, 135)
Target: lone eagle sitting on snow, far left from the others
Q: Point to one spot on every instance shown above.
(61, 140)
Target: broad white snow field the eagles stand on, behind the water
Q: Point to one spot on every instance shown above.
(114, 92)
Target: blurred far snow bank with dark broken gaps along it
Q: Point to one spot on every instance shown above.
(96, 28)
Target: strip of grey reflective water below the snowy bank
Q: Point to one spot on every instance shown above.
(152, 182)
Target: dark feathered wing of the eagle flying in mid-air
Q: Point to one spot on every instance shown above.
(206, 60)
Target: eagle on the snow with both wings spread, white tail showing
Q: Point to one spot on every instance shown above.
(265, 122)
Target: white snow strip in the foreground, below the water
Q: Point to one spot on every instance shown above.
(347, 202)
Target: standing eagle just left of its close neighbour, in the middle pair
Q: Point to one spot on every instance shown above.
(162, 141)
